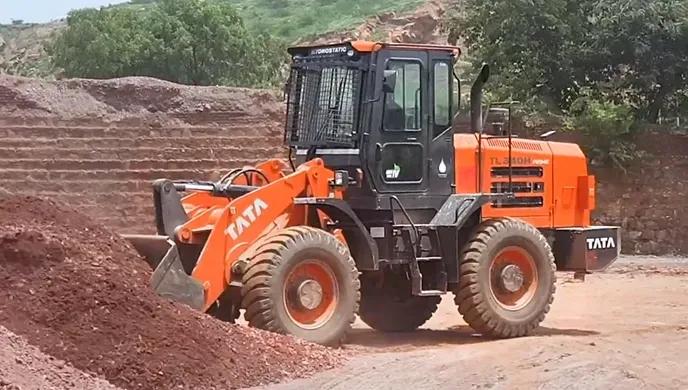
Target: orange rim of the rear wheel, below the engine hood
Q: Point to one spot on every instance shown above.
(513, 278)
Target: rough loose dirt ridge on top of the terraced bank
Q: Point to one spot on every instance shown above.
(131, 100)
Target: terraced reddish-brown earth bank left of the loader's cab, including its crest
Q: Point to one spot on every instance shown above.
(98, 144)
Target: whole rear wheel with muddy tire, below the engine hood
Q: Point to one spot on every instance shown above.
(507, 278)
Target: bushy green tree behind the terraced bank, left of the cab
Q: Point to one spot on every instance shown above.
(187, 41)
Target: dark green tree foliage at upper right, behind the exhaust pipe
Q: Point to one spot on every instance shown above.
(633, 51)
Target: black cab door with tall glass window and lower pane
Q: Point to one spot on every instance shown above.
(397, 152)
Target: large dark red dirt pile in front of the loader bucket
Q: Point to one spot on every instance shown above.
(80, 293)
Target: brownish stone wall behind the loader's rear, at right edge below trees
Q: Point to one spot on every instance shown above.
(648, 200)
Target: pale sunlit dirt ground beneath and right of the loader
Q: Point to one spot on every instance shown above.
(627, 328)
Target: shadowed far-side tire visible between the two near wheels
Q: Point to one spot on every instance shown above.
(384, 310)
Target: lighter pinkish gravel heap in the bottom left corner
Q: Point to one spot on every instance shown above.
(24, 367)
